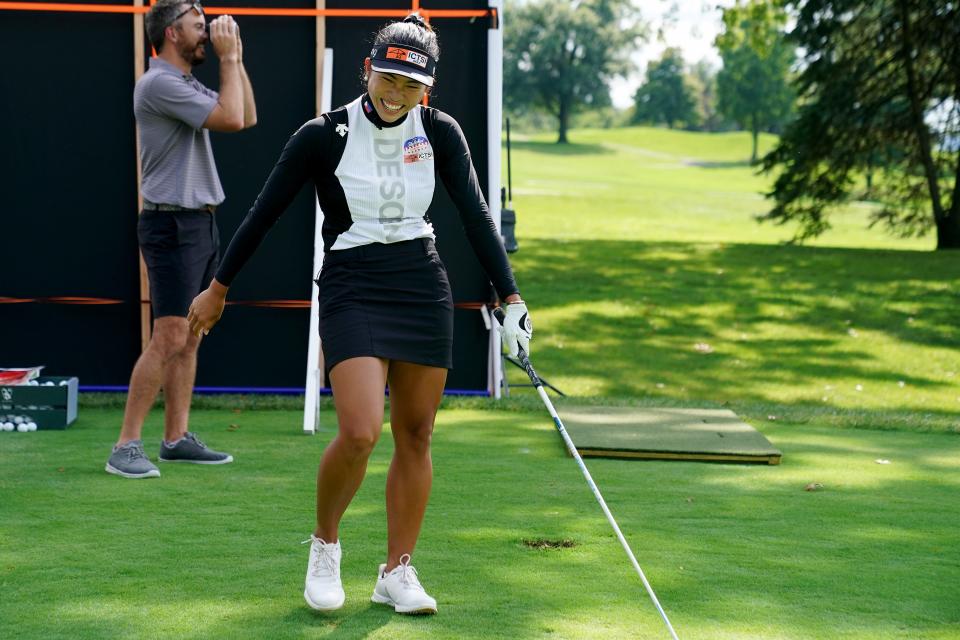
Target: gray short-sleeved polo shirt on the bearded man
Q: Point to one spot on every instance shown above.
(175, 153)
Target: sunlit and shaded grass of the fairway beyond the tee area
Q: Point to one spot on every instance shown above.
(639, 244)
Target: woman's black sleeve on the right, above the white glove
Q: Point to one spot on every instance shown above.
(460, 178)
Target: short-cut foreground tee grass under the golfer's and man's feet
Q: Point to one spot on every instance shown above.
(732, 551)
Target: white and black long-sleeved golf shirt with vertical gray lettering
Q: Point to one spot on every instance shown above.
(375, 181)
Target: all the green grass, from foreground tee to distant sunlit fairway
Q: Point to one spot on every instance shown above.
(649, 284)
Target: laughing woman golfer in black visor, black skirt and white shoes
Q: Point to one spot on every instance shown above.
(386, 311)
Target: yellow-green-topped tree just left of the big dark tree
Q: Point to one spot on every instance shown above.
(752, 86)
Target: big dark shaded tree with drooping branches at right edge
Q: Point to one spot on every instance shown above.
(880, 92)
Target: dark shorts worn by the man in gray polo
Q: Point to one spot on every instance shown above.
(181, 250)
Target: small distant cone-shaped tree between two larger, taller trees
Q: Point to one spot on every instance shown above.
(665, 96)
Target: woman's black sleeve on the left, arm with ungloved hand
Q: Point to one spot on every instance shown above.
(296, 164)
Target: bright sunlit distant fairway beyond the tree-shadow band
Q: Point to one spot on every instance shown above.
(656, 185)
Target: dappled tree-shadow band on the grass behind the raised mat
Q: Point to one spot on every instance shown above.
(773, 315)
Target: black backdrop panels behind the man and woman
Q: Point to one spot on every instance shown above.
(68, 171)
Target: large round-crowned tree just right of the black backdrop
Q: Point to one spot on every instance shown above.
(560, 56)
